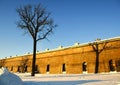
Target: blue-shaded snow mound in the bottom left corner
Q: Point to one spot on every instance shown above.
(7, 78)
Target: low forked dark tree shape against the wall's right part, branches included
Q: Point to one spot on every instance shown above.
(97, 49)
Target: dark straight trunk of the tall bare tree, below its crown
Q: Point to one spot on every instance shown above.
(34, 57)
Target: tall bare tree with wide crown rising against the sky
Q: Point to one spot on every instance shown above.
(35, 20)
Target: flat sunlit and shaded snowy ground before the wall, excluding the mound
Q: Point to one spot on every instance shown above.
(71, 79)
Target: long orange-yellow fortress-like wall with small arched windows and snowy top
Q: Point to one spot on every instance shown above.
(76, 59)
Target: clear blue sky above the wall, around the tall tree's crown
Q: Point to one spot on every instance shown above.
(78, 21)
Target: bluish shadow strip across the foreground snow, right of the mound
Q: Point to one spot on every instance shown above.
(78, 82)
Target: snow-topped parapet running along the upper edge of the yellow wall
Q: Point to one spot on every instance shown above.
(76, 45)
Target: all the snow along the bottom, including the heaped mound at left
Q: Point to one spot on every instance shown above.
(7, 78)
